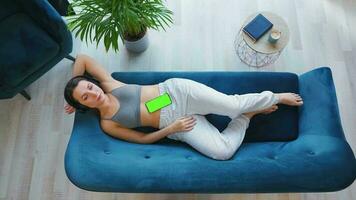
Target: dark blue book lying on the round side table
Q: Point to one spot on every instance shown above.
(257, 27)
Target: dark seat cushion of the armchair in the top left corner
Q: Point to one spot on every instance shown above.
(24, 49)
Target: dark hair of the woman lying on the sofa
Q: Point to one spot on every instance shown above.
(71, 85)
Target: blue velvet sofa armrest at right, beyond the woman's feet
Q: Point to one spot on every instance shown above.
(320, 113)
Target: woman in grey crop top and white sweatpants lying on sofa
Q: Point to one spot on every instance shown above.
(123, 107)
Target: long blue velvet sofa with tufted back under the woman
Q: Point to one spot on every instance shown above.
(301, 150)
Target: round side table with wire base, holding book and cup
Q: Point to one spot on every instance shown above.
(262, 52)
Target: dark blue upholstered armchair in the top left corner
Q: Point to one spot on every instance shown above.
(33, 39)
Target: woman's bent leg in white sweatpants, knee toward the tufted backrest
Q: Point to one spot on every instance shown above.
(207, 139)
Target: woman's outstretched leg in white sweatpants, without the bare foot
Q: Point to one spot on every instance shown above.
(203, 100)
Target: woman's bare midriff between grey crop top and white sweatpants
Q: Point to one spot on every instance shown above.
(149, 92)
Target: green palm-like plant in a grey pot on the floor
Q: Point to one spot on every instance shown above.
(107, 20)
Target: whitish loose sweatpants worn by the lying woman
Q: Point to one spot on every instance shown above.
(191, 98)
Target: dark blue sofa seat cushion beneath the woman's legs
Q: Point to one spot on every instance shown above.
(281, 125)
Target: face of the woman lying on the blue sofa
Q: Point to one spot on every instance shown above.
(89, 94)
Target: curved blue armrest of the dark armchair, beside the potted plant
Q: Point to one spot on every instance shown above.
(49, 20)
